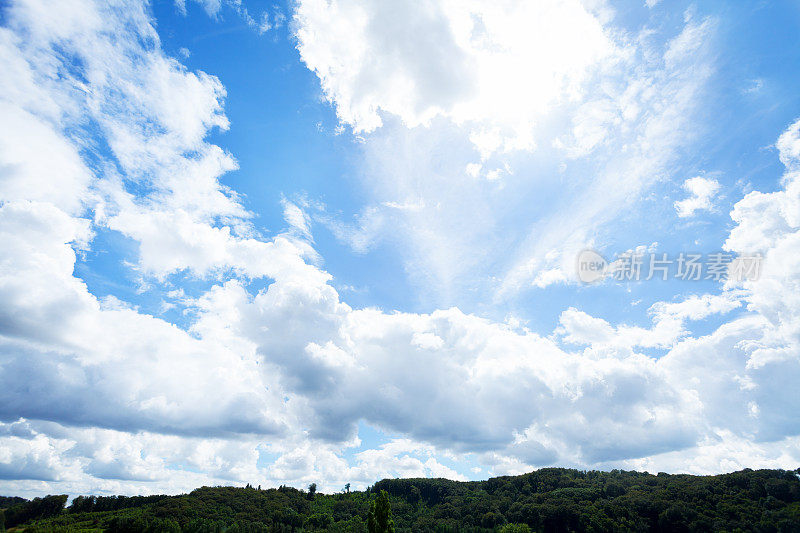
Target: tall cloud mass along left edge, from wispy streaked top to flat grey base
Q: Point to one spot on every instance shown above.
(97, 361)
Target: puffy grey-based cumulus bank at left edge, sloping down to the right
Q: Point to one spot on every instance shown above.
(89, 361)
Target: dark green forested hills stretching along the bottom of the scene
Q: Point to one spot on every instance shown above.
(551, 499)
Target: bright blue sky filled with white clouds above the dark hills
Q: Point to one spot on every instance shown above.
(331, 241)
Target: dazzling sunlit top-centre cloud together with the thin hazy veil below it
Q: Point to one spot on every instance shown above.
(620, 109)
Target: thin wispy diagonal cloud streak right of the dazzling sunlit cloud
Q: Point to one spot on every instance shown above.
(650, 123)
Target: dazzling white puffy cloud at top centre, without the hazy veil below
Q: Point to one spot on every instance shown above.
(495, 68)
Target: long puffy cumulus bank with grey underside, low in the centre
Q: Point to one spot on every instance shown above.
(346, 365)
